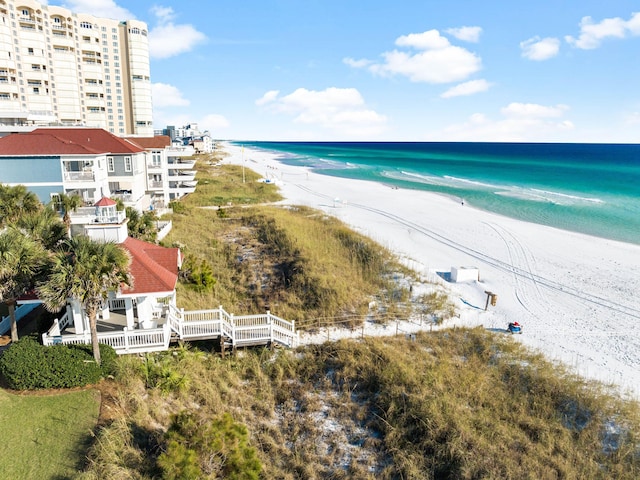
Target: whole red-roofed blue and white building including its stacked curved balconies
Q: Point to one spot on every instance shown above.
(143, 172)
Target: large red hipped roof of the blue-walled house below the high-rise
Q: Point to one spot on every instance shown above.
(66, 141)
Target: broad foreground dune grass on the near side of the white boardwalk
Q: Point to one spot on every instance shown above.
(461, 404)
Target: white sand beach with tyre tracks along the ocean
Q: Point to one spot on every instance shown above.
(575, 295)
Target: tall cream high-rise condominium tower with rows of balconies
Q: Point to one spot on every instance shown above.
(65, 68)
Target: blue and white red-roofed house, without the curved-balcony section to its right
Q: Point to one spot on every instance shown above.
(89, 162)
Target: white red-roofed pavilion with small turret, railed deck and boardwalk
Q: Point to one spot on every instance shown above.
(145, 317)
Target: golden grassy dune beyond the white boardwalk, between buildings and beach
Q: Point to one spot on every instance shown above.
(297, 262)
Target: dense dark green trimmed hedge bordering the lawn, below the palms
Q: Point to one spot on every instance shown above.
(27, 365)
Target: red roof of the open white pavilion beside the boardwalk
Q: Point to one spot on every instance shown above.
(154, 268)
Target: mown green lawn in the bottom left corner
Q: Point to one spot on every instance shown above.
(46, 436)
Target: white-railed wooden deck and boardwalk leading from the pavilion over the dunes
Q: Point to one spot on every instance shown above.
(237, 331)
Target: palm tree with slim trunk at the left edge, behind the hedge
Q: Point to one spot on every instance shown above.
(21, 259)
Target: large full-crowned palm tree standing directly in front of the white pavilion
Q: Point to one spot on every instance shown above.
(85, 270)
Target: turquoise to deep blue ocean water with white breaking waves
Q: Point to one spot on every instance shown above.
(588, 188)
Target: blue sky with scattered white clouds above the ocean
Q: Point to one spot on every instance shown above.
(401, 70)
